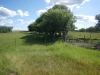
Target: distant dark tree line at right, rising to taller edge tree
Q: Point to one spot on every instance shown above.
(96, 28)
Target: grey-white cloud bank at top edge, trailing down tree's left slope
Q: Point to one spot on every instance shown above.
(68, 3)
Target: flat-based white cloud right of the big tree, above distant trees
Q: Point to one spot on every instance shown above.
(83, 18)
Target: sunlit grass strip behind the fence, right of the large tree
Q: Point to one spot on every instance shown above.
(91, 36)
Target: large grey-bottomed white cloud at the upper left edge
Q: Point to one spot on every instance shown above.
(4, 12)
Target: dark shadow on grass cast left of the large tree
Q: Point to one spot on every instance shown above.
(37, 38)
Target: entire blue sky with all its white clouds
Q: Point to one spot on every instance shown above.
(20, 13)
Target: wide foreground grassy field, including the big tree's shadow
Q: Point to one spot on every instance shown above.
(24, 53)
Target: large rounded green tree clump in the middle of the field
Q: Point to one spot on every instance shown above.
(56, 20)
